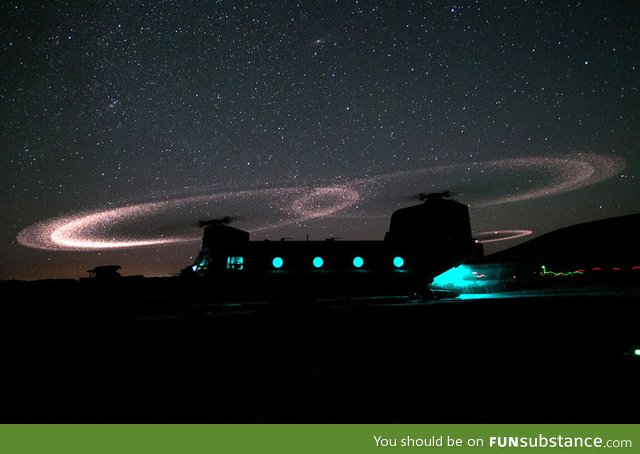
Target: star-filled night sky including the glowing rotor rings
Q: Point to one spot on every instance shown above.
(135, 119)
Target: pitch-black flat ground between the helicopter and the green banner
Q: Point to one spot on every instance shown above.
(95, 354)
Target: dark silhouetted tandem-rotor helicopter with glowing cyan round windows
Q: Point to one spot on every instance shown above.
(422, 242)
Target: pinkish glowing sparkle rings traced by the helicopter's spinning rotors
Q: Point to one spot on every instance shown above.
(289, 205)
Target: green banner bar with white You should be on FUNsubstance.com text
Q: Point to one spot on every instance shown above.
(327, 439)
